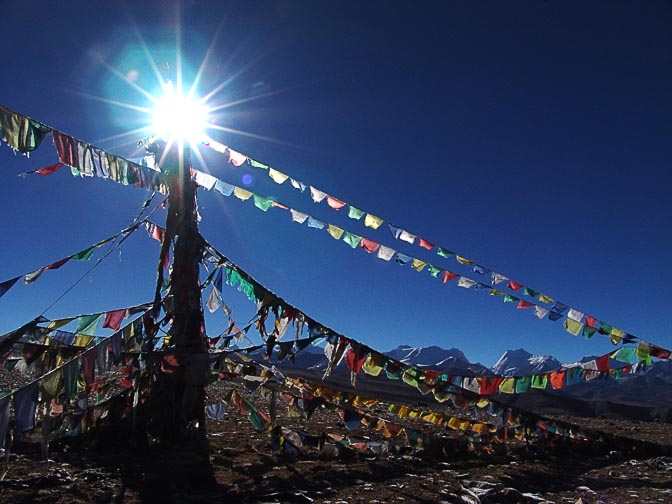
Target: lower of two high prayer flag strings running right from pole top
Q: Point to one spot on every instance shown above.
(575, 322)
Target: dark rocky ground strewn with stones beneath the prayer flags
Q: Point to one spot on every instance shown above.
(241, 467)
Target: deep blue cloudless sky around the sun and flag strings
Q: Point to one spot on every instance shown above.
(532, 137)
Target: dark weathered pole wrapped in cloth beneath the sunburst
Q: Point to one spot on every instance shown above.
(177, 394)
